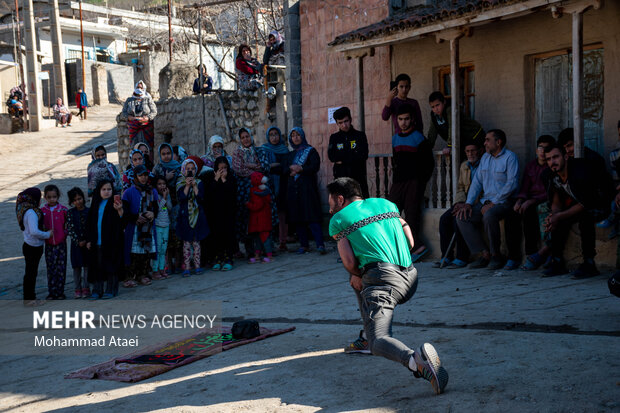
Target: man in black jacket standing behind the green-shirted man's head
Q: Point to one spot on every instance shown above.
(348, 150)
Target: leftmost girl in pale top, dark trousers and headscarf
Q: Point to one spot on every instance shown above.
(30, 220)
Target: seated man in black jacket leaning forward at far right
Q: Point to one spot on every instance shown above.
(579, 191)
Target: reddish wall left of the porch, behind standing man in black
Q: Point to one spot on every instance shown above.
(328, 79)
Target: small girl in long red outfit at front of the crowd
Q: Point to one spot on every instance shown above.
(259, 224)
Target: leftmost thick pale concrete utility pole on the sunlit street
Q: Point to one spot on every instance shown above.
(34, 104)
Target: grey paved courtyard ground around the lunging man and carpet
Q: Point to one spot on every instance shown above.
(511, 341)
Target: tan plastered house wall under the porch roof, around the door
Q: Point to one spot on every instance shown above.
(504, 74)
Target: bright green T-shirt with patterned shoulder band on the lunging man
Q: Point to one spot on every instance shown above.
(381, 241)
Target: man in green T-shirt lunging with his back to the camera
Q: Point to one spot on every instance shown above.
(374, 243)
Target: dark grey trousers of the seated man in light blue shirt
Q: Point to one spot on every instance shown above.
(490, 221)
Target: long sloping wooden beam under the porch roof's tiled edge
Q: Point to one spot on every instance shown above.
(411, 34)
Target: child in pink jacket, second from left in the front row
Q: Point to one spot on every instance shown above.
(55, 219)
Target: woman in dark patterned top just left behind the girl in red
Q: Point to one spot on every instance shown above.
(245, 160)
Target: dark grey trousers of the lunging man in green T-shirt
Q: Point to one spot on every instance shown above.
(385, 286)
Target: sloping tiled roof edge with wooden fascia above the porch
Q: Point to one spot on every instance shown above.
(375, 36)
